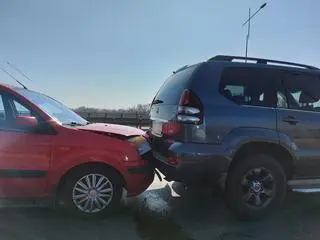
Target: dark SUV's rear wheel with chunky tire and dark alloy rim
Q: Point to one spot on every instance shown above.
(246, 184)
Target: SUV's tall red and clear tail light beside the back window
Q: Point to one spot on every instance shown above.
(190, 108)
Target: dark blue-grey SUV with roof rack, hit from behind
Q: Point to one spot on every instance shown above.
(251, 124)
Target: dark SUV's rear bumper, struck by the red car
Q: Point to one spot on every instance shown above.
(195, 162)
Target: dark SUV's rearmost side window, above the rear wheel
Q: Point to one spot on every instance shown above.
(248, 86)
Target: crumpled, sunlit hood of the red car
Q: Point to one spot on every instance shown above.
(116, 129)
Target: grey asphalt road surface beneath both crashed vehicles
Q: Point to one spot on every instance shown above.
(162, 213)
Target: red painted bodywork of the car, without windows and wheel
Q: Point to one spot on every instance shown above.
(56, 154)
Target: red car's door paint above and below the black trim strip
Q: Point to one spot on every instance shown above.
(24, 152)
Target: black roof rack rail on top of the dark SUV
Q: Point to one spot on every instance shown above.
(259, 61)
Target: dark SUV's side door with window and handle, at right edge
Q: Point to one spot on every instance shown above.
(298, 116)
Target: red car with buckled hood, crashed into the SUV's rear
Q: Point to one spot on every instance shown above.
(49, 154)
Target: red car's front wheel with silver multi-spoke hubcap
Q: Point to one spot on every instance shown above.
(76, 196)
